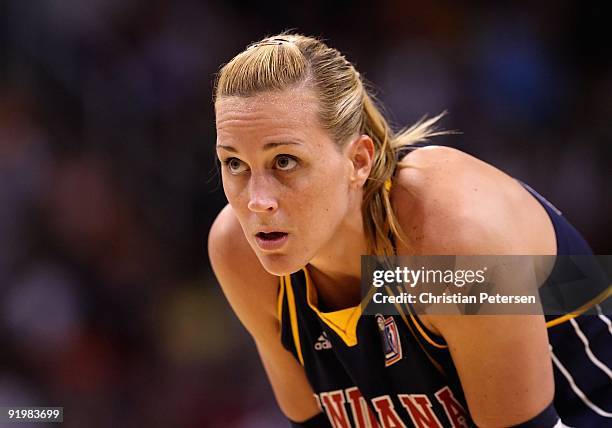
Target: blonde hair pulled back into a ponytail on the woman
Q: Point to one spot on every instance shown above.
(346, 108)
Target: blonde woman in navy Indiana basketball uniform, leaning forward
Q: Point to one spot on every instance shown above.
(315, 178)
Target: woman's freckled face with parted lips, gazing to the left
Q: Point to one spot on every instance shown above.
(288, 182)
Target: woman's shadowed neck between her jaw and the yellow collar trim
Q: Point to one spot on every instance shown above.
(336, 270)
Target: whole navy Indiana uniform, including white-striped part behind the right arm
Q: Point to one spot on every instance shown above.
(390, 371)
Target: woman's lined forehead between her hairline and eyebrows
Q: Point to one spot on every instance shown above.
(291, 110)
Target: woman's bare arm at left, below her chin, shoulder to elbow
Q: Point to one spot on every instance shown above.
(252, 293)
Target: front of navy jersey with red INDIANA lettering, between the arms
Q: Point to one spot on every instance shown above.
(370, 371)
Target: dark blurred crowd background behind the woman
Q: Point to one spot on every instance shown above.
(108, 183)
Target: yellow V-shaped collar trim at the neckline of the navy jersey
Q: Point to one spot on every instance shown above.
(343, 322)
